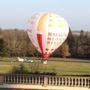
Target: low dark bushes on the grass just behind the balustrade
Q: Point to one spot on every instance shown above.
(34, 69)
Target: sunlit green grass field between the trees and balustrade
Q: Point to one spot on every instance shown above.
(56, 65)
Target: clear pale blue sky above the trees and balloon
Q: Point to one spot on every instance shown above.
(15, 13)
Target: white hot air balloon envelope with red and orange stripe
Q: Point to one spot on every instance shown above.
(47, 31)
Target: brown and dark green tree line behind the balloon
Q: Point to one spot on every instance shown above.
(15, 42)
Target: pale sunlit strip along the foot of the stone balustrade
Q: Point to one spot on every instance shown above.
(40, 87)
